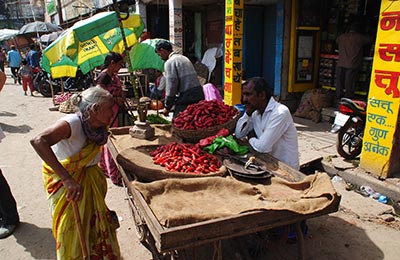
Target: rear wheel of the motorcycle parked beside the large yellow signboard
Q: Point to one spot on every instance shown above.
(349, 140)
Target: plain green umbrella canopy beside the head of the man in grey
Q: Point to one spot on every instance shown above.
(143, 56)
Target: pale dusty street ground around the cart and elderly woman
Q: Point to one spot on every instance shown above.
(357, 231)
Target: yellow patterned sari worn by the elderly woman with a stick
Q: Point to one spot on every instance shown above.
(100, 236)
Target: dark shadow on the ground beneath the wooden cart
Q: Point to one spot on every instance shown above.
(328, 238)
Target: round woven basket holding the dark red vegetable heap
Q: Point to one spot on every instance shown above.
(193, 136)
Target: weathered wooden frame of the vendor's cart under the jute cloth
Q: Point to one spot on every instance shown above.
(167, 243)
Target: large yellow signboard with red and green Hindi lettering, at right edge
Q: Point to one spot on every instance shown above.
(384, 93)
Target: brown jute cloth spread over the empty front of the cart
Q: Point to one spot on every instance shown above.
(178, 202)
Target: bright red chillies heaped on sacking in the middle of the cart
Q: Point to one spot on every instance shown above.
(186, 158)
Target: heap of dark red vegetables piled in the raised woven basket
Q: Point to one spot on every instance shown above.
(204, 114)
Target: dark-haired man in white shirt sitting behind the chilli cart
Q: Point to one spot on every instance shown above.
(267, 125)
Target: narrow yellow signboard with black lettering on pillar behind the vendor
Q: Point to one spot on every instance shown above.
(234, 15)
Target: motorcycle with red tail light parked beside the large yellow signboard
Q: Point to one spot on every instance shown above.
(349, 124)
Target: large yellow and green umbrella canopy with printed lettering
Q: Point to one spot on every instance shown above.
(87, 42)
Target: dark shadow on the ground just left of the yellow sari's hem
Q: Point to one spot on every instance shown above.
(39, 242)
